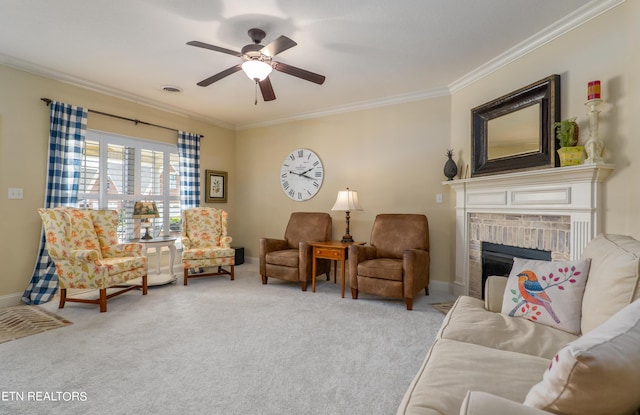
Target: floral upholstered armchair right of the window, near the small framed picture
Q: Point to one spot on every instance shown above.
(206, 243)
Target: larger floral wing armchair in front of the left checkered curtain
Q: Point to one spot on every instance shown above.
(83, 245)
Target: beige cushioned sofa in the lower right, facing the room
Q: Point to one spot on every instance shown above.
(485, 362)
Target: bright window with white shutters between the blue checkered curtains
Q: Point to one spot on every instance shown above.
(117, 171)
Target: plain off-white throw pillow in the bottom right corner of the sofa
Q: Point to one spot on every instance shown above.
(598, 373)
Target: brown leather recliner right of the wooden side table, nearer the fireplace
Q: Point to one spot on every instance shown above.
(397, 262)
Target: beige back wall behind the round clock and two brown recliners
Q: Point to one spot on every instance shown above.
(393, 156)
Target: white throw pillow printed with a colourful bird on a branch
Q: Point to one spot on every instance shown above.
(547, 292)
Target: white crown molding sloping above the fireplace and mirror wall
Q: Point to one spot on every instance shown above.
(571, 21)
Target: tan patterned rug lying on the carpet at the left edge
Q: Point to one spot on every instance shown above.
(24, 320)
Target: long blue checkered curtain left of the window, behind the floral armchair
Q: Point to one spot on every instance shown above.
(68, 127)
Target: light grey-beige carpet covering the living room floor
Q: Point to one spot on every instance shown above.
(226, 347)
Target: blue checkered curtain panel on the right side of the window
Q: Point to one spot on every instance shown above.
(189, 152)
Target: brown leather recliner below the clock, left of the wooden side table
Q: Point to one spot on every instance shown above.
(290, 258)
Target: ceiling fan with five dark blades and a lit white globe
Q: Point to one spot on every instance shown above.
(257, 62)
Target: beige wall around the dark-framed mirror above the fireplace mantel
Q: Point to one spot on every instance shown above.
(605, 48)
